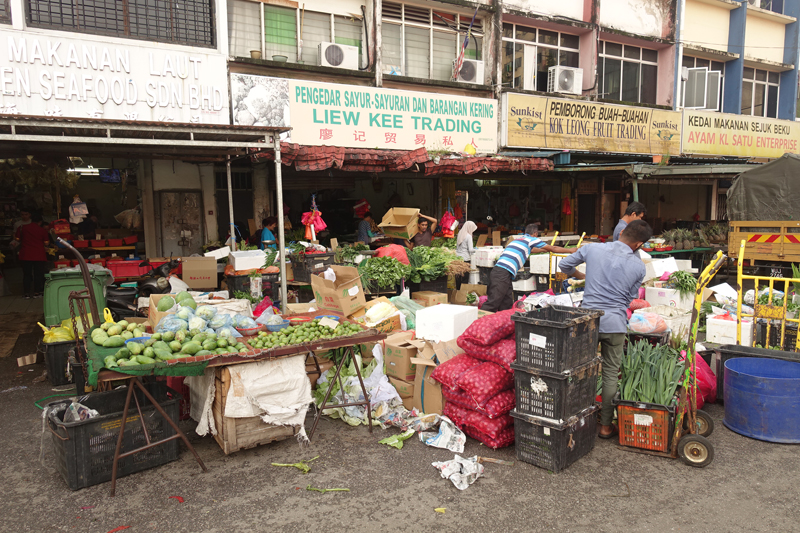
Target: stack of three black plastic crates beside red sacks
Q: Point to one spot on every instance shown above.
(555, 378)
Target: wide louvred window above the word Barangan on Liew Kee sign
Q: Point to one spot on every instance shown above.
(422, 43)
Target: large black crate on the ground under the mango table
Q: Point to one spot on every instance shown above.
(85, 450)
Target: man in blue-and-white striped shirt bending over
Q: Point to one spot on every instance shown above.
(500, 291)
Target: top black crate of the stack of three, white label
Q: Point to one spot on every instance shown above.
(556, 338)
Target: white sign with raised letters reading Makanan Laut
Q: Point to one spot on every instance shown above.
(48, 75)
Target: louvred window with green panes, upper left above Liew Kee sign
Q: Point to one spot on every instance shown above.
(282, 29)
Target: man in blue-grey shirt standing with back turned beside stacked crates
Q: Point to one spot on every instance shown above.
(614, 273)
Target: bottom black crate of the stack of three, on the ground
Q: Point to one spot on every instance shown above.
(553, 446)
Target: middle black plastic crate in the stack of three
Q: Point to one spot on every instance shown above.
(556, 396)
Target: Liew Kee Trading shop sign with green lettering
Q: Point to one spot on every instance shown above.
(365, 117)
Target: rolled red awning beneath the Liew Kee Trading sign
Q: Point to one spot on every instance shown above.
(309, 158)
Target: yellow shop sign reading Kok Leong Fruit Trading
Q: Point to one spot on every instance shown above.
(559, 123)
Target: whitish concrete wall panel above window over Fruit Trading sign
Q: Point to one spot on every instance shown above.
(652, 18)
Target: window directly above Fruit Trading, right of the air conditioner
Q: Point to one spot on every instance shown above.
(628, 73)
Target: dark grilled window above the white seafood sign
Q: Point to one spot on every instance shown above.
(185, 21)
